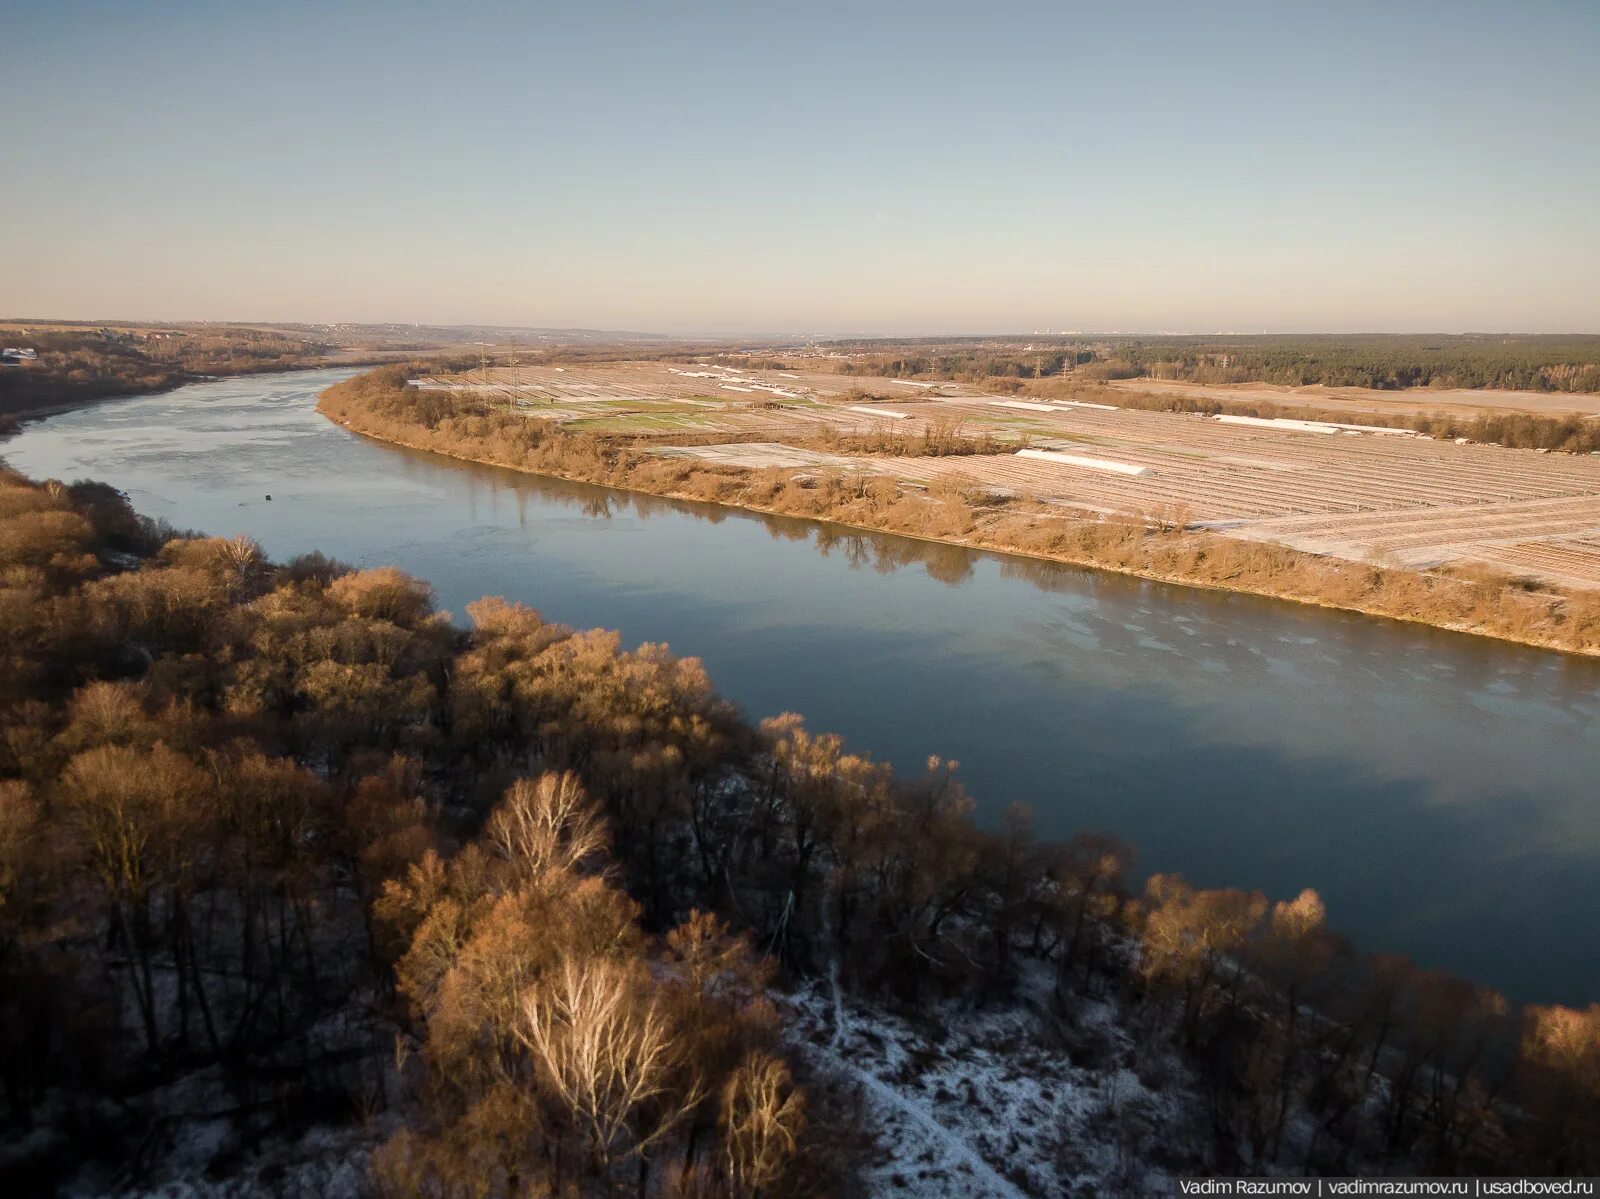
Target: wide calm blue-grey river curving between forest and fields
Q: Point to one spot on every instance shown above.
(1441, 792)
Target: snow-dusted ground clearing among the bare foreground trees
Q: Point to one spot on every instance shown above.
(1001, 1102)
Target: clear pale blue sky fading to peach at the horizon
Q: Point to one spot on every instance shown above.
(810, 167)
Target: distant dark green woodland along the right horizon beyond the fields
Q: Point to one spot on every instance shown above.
(1511, 361)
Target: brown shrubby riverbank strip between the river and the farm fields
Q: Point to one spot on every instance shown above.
(382, 406)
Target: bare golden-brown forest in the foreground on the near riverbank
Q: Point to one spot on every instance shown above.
(282, 844)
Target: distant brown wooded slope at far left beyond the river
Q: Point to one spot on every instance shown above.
(86, 364)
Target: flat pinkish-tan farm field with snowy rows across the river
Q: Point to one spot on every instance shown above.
(1378, 497)
